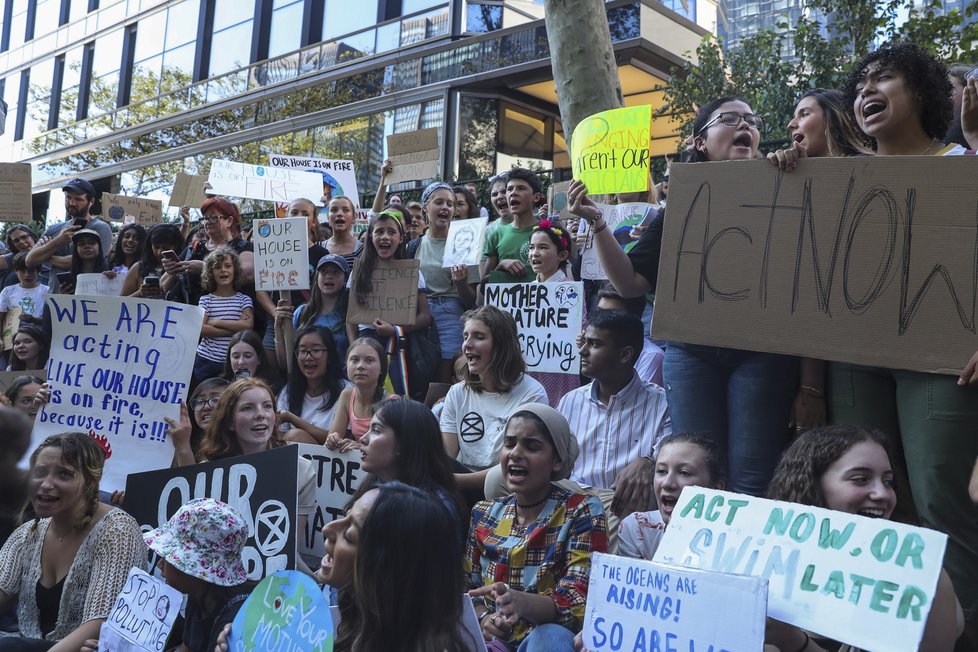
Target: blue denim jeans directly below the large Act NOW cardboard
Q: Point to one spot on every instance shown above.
(740, 398)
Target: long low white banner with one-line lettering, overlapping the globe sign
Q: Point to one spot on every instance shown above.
(263, 182)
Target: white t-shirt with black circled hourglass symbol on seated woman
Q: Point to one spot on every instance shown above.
(478, 418)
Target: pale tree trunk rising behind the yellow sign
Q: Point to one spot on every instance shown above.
(583, 60)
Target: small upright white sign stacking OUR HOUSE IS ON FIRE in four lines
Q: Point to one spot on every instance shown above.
(281, 254)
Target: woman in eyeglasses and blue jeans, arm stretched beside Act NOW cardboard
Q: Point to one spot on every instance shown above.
(740, 398)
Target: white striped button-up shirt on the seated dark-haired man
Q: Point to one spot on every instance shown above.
(614, 435)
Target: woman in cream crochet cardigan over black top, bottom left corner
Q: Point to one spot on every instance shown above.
(67, 566)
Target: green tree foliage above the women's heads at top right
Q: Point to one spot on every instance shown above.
(760, 71)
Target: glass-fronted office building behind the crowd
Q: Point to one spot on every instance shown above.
(128, 92)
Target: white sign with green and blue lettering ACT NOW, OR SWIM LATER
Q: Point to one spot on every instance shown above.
(863, 581)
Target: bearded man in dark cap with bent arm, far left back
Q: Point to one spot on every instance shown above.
(55, 246)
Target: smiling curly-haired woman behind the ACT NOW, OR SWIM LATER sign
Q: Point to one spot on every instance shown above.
(848, 469)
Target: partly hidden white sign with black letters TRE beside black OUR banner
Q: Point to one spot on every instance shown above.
(338, 476)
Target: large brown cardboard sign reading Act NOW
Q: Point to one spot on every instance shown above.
(891, 236)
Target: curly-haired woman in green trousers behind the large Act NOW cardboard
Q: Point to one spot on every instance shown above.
(900, 99)
